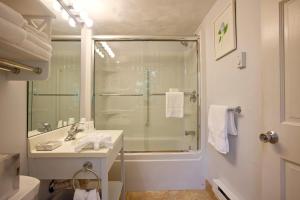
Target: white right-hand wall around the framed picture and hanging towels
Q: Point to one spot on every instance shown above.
(228, 85)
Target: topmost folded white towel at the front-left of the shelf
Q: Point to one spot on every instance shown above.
(11, 15)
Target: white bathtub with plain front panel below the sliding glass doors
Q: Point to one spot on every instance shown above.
(162, 171)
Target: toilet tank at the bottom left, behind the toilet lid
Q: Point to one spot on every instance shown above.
(9, 175)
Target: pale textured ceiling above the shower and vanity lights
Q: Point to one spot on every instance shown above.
(138, 17)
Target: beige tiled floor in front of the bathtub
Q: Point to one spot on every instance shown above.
(171, 195)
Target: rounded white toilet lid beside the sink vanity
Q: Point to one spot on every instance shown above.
(29, 188)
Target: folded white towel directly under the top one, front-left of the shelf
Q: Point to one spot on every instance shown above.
(11, 33)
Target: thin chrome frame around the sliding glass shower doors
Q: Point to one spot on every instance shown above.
(113, 38)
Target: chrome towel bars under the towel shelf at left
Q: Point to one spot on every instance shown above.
(14, 67)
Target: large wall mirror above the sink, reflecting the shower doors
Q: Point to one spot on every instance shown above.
(54, 103)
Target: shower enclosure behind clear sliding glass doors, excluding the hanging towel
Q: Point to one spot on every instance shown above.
(131, 78)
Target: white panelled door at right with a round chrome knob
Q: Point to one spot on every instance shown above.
(281, 65)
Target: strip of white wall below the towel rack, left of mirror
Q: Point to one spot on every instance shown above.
(13, 119)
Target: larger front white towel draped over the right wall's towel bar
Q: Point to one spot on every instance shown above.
(217, 128)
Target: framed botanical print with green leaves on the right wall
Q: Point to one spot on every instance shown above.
(225, 31)
